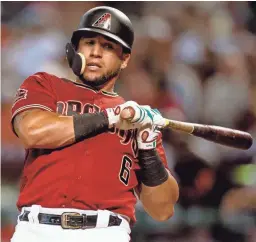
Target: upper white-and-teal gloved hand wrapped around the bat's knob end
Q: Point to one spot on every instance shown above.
(137, 119)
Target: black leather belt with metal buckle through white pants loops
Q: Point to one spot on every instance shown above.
(71, 220)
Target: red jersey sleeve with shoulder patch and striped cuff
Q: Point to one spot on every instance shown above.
(35, 92)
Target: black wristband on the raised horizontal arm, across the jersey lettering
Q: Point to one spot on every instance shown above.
(89, 124)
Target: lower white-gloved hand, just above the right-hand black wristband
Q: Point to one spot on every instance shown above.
(147, 137)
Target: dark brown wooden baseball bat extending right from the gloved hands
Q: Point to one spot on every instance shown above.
(225, 136)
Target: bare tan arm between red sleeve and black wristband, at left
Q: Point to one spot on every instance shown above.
(43, 129)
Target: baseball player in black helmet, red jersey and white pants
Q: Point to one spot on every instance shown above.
(89, 154)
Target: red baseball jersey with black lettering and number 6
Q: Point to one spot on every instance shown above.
(96, 173)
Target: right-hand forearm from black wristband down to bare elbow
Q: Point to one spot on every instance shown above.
(159, 189)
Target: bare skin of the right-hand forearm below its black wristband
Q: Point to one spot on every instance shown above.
(159, 201)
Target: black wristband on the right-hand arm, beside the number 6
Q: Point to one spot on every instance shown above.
(153, 172)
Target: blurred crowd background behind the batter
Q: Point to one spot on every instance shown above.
(195, 62)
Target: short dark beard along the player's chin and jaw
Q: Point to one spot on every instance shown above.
(101, 80)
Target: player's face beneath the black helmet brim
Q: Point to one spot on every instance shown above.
(104, 58)
